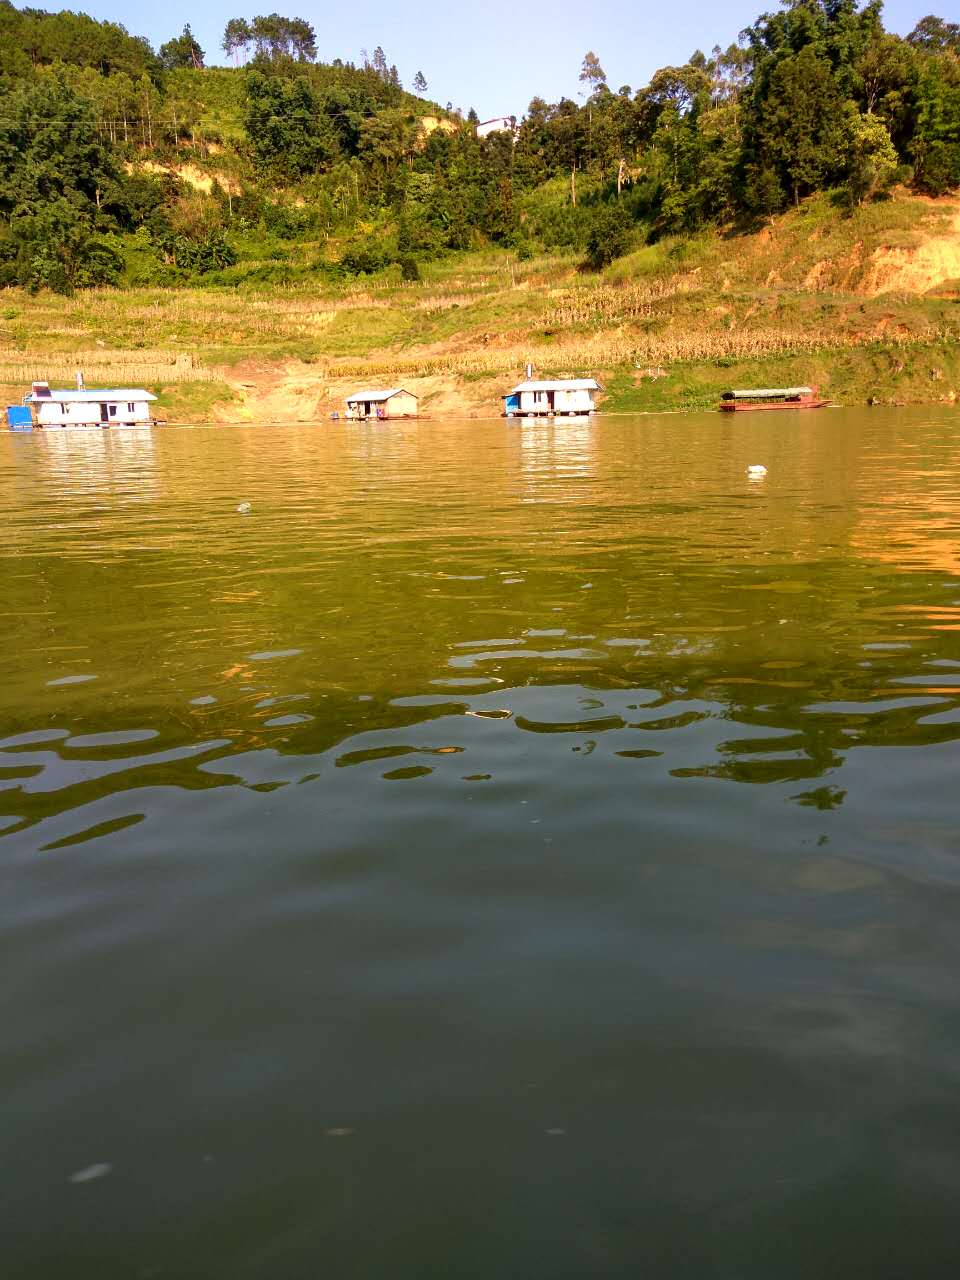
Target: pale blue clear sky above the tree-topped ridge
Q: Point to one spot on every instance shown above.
(493, 56)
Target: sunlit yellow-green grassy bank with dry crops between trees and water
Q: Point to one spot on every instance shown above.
(866, 305)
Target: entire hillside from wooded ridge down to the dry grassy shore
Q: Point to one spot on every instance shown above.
(254, 240)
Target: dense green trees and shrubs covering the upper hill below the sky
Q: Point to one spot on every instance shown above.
(95, 132)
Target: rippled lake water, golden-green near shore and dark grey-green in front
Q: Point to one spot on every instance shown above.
(520, 852)
